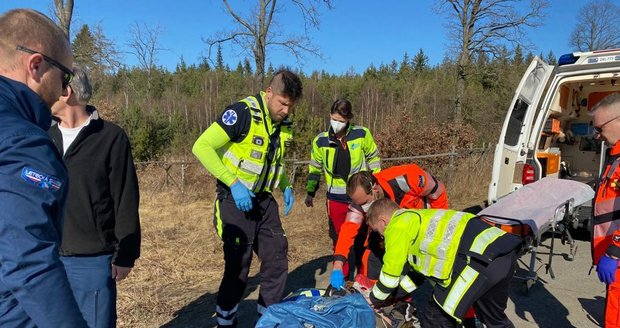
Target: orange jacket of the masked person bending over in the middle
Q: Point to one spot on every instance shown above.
(408, 185)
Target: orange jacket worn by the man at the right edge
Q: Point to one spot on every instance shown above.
(606, 218)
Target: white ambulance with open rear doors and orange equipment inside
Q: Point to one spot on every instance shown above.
(548, 129)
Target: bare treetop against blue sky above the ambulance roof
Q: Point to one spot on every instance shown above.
(598, 27)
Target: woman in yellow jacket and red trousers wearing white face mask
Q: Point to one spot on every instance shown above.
(341, 151)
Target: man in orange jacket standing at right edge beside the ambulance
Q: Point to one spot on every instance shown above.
(606, 220)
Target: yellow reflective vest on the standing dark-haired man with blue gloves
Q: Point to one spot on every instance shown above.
(249, 158)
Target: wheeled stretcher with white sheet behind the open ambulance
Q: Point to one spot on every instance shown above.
(545, 206)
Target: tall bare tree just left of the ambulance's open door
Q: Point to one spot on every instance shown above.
(482, 27)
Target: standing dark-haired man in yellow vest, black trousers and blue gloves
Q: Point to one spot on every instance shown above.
(244, 149)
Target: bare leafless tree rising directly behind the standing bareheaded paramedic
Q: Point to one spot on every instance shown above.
(258, 29)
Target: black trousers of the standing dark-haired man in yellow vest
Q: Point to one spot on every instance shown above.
(243, 233)
